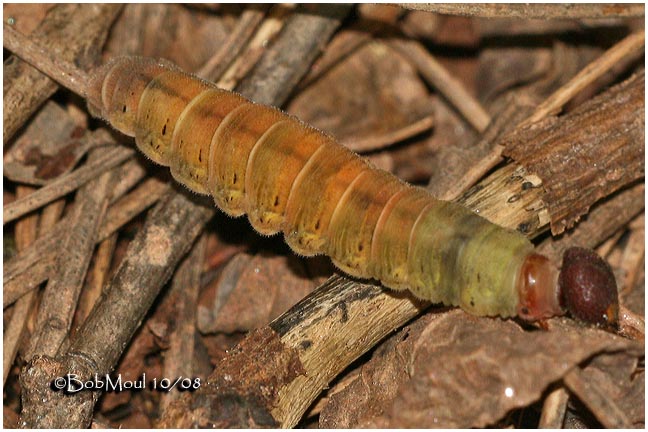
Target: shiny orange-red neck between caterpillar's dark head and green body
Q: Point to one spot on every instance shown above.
(538, 289)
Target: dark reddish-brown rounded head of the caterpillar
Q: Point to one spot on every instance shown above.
(587, 287)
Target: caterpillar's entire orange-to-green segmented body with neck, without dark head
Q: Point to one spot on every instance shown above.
(292, 178)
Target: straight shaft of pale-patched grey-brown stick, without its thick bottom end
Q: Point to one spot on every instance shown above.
(150, 259)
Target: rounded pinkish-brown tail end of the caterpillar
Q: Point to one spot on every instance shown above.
(115, 89)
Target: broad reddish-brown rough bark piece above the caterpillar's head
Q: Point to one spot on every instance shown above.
(603, 139)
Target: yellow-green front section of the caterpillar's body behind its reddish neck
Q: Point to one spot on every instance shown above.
(458, 258)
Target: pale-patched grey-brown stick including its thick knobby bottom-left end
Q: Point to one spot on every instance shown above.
(149, 262)
